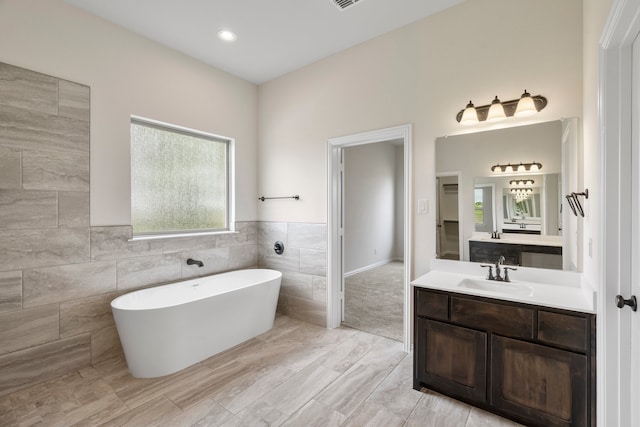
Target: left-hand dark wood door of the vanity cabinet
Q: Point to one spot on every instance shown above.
(452, 359)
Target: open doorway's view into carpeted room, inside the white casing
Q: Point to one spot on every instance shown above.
(373, 204)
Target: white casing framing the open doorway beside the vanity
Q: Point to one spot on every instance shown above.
(336, 224)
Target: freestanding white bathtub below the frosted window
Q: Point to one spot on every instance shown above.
(167, 328)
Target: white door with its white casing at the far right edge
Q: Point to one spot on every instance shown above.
(619, 328)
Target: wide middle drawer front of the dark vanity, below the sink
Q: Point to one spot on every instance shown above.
(498, 318)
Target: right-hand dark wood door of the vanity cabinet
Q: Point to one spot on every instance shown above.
(542, 385)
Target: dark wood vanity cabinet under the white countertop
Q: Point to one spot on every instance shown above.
(532, 364)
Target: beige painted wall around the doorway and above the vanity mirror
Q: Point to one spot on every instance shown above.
(422, 74)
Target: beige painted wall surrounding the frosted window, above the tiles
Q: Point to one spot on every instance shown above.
(130, 75)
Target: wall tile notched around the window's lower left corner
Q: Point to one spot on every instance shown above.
(113, 242)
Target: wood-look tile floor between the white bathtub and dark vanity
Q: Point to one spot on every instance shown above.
(297, 374)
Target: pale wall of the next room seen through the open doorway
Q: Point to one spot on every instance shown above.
(370, 188)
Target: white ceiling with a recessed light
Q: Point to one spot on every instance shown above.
(274, 37)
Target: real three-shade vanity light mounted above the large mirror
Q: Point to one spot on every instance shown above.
(527, 104)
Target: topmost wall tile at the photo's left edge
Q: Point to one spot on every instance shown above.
(27, 89)
